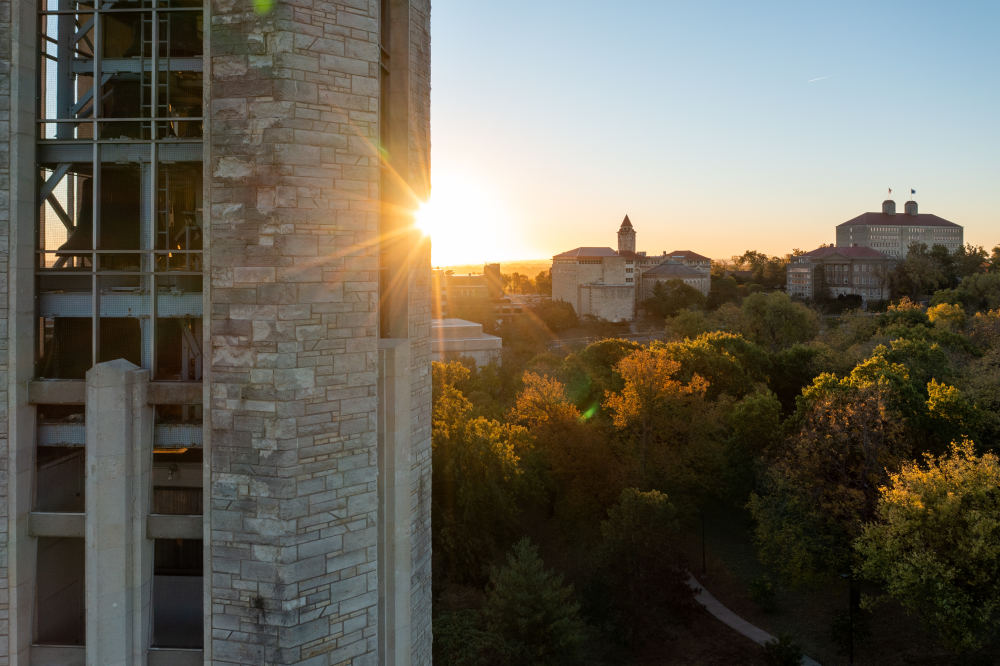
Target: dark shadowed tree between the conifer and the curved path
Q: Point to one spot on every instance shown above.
(642, 582)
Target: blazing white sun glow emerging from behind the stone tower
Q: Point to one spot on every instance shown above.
(467, 222)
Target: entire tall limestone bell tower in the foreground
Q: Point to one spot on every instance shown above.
(216, 316)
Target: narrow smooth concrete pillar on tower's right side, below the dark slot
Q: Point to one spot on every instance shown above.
(395, 461)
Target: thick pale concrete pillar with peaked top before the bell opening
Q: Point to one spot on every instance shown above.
(118, 558)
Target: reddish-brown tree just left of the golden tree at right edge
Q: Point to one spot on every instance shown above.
(822, 487)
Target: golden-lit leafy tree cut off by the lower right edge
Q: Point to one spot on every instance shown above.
(936, 545)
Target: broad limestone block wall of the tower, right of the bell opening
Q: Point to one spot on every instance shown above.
(293, 223)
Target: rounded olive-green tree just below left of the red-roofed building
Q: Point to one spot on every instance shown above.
(774, 321)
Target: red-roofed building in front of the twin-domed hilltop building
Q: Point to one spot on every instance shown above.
(832, 271)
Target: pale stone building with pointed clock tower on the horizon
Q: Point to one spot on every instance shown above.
(609, 284)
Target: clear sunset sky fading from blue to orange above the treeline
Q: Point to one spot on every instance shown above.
(716, 126)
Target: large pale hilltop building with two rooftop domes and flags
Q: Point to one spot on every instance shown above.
(892, 234)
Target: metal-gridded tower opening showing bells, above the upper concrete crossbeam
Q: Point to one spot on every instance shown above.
(119, 227)
